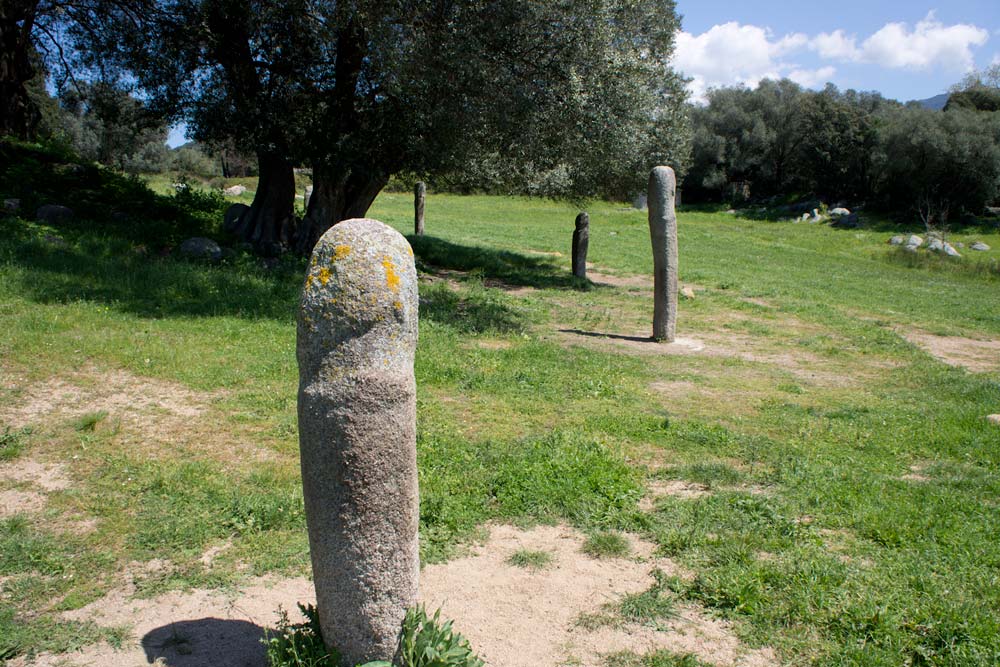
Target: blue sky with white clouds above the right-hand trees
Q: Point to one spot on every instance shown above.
(905, 50)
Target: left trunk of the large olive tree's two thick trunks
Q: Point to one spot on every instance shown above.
(270, 223)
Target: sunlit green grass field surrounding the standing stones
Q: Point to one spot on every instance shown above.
(843, 483)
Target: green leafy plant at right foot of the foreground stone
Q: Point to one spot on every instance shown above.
(426, 642)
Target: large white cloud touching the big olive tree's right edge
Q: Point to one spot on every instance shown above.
(731, 54)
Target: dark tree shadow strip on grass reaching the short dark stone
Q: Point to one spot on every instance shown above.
(498, 266)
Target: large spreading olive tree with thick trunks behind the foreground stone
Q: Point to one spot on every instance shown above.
(576, 94)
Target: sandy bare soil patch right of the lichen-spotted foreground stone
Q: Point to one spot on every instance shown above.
(518, 617)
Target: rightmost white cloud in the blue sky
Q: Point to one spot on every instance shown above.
(930, 45)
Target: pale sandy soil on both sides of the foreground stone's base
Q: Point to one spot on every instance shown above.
(514, 617)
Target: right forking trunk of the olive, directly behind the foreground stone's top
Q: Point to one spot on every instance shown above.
(339, 193)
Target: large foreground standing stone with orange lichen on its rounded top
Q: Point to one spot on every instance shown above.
(357, 333)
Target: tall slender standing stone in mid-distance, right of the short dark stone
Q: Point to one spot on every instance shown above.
(663, 233)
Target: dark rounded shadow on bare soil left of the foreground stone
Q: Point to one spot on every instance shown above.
(206, 642)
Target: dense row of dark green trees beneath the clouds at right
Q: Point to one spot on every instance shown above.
(780, 139)
